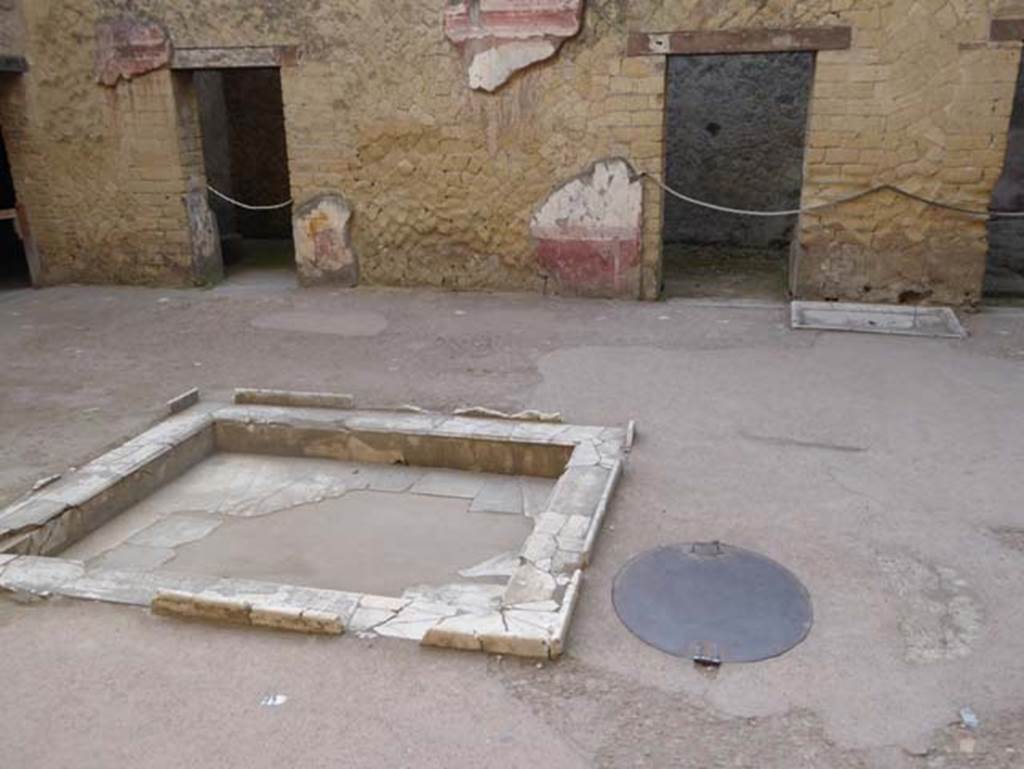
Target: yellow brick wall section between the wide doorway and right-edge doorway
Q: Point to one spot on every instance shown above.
(923, 102)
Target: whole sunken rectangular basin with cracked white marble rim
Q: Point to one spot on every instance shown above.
(466, 532)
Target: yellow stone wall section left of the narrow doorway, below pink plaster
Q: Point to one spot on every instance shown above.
(101, 170)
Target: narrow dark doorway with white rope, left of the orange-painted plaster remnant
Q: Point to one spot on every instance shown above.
(246, 158)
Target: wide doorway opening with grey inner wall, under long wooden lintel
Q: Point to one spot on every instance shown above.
(736, 137)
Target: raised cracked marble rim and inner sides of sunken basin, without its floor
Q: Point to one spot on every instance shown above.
(529, 616)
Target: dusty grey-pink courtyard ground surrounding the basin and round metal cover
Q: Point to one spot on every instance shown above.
(886, 473)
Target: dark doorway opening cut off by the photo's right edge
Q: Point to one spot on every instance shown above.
(1005, 267)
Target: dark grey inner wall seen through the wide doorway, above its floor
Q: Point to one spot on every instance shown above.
(736, 136)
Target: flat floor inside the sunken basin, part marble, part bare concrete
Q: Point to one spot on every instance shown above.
(314, 523)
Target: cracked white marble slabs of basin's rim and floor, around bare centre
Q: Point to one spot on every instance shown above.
(528, 615)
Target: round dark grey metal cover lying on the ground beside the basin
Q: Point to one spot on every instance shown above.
(712, 603)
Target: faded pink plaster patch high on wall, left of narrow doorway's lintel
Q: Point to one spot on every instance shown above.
(129, 48)
